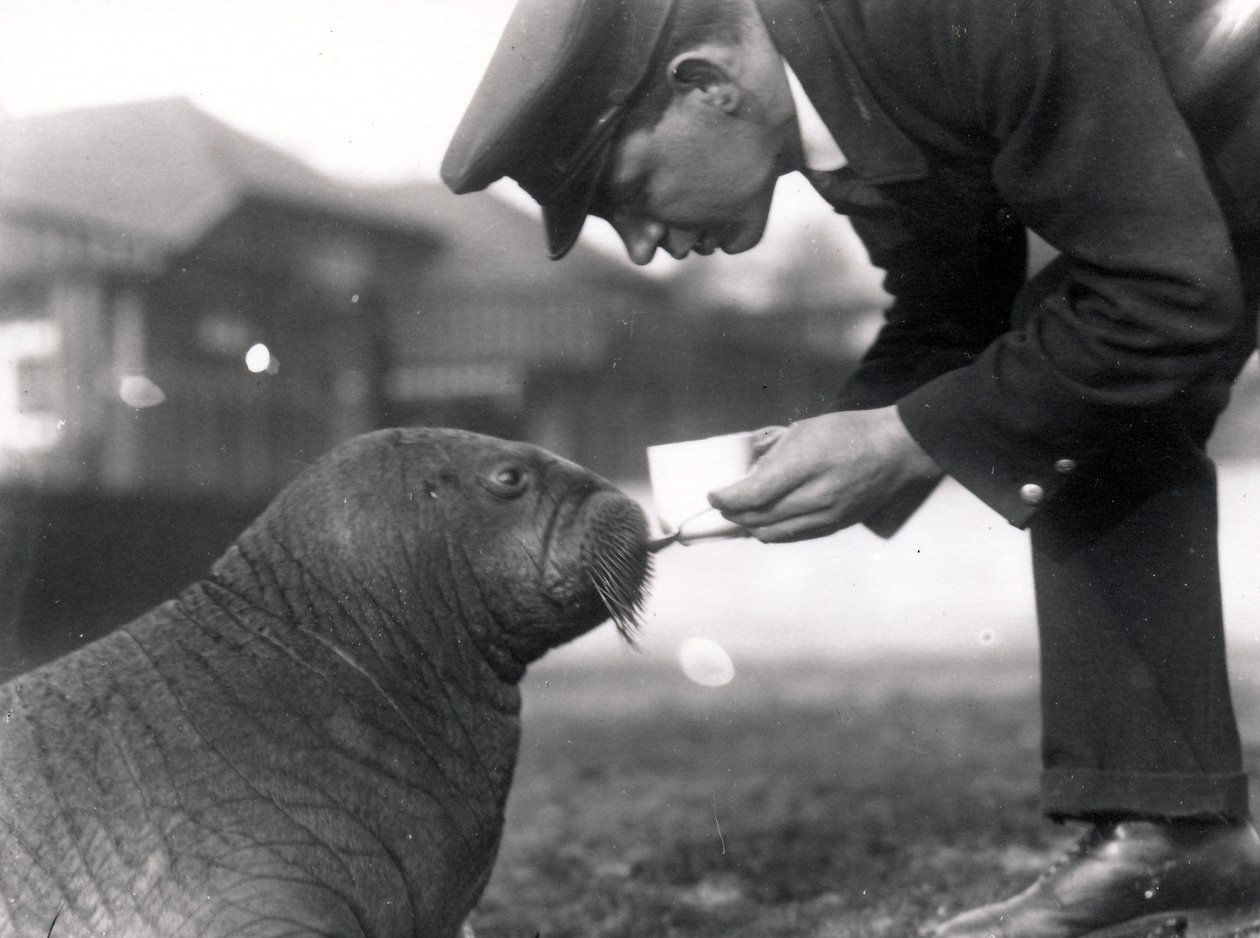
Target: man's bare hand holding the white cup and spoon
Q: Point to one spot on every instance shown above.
(826, 473)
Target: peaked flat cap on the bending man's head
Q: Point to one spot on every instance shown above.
(551, 101)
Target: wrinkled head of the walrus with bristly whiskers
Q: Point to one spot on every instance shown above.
(455, 535)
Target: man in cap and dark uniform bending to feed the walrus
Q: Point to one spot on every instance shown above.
(1127, 134)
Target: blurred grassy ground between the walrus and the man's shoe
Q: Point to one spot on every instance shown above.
(807, 801)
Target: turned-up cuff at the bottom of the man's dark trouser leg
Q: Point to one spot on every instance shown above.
(1091, 794)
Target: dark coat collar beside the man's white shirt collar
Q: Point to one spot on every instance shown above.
(875, 147)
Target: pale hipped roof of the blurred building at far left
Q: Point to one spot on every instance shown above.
(159, 171)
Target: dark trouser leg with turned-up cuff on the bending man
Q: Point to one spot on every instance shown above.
(1136, 700)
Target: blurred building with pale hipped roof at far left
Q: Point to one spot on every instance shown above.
(183, 308)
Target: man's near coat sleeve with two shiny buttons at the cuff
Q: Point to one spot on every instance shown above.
(1092, 153)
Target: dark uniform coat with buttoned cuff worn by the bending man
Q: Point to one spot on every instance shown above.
(1126, 133)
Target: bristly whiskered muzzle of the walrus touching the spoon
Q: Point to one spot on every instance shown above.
(617, 559)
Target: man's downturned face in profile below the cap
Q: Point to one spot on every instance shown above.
(701, 180)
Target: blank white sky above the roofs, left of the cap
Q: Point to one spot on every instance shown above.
(367, 89)
